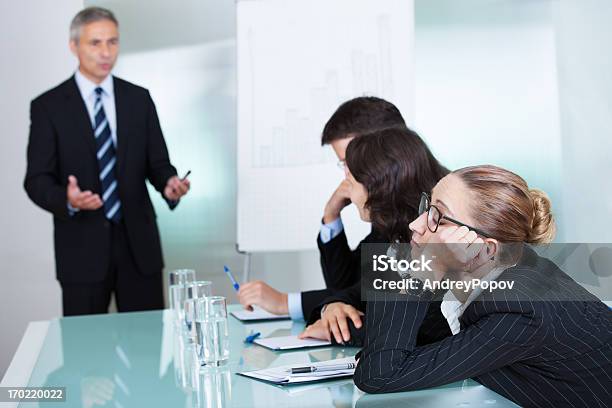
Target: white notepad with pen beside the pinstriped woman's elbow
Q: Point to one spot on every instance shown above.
(282, 374)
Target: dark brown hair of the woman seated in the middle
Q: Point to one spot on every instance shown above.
(395, 166)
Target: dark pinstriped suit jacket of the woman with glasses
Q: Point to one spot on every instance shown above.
(545, 343)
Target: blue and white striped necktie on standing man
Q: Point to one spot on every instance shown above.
(107, 160)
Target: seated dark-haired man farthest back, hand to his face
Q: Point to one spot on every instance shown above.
(340, 264)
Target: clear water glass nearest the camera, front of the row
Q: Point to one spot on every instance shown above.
(211, 330)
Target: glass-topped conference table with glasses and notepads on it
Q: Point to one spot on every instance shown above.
(140, 360)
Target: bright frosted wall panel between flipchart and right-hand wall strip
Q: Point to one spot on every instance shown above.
(486, 88)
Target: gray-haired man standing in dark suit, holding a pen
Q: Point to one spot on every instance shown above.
(94, 141)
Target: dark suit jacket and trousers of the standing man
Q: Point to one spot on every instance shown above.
(87, 247)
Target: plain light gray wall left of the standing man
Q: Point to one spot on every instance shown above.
(35, 57)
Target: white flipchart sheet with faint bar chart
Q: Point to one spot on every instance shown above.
(294, 70)
